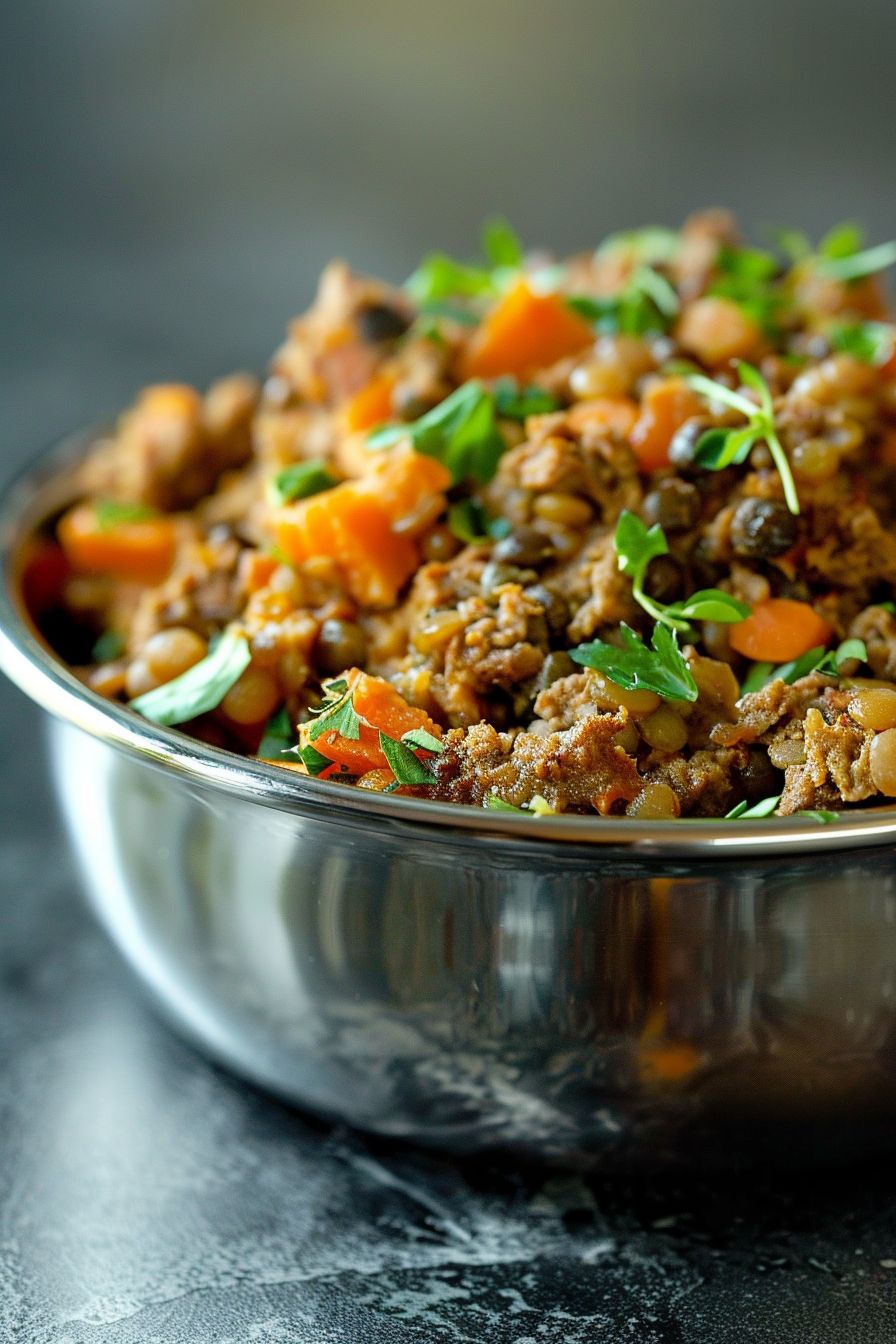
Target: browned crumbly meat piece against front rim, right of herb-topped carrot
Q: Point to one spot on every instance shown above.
(574, 771)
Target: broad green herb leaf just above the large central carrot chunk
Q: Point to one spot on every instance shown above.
(461, 432)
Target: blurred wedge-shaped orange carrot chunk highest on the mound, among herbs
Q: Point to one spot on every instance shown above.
(525, 331)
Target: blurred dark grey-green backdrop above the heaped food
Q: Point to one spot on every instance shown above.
(178, 171)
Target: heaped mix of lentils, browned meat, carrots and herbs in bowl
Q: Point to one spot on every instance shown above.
(604, 537)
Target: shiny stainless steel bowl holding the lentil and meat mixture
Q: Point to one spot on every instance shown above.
(569, 987)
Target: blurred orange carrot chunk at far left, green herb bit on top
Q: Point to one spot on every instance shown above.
(140, 549)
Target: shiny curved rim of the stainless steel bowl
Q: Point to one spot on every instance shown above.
(40, 674)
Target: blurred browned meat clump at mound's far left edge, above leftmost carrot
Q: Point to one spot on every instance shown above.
(174, 446)
